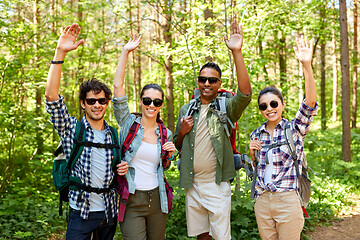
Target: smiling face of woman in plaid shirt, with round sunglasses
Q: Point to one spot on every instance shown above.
(272, 114)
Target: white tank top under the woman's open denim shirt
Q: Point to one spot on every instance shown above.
(146, 162)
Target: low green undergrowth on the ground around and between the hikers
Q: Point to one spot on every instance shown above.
(29, 205)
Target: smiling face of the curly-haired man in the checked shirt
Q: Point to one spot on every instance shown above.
(97, 111)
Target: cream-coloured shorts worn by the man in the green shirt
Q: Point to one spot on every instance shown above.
(208, 208)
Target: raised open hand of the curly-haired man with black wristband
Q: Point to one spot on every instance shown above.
(67, 39)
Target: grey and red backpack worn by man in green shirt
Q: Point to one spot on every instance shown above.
(240, 160)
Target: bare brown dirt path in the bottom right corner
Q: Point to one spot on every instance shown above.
(345, 227)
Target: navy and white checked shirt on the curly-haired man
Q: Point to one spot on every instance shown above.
(65, 127)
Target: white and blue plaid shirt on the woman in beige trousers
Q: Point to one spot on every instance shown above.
(284, 173)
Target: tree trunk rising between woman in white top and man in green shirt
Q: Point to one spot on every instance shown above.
(169, 82)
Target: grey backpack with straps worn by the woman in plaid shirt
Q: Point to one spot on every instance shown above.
(304, 183)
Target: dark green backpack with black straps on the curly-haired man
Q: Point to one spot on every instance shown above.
(62, 167)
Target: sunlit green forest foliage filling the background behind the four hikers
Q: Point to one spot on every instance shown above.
(28, 202)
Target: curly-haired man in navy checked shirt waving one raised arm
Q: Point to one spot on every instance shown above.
(91, 214)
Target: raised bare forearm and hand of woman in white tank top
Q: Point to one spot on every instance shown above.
(120, 69)
